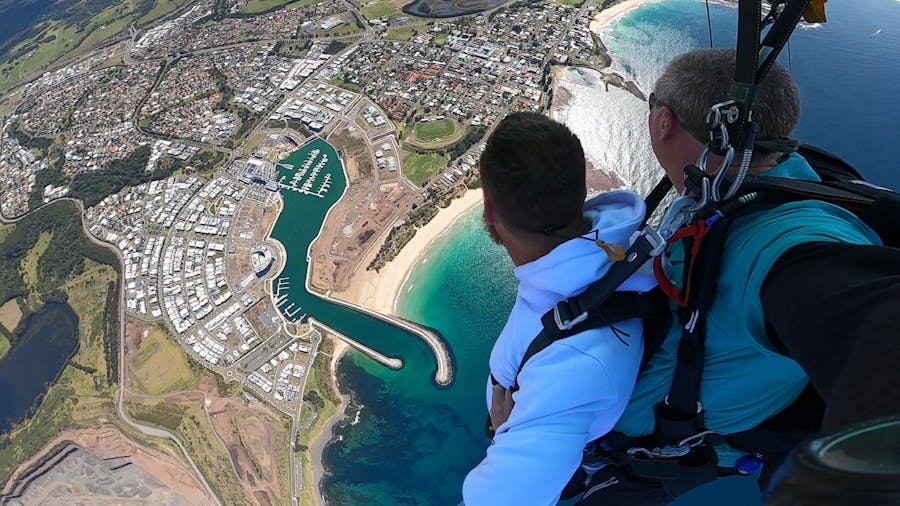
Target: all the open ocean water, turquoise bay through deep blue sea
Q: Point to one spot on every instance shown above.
(414, 443)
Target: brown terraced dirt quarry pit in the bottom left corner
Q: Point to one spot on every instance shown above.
(103, 467)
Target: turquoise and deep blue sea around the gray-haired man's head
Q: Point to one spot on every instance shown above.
(846, 70)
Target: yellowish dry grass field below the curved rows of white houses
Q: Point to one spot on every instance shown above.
(159, 366)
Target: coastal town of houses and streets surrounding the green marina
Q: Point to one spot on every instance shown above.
(178, 139)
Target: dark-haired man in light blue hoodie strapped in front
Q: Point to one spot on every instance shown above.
(574, 390)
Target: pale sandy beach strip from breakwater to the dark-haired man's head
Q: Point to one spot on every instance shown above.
(379, 291)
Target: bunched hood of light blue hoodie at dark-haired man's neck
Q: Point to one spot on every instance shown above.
(573, 265)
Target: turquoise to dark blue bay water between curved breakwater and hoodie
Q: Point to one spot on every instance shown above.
(415, 443)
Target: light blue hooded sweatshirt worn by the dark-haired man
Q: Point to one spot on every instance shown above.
(573, 391)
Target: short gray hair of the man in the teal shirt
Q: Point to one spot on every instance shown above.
(695, 81)
